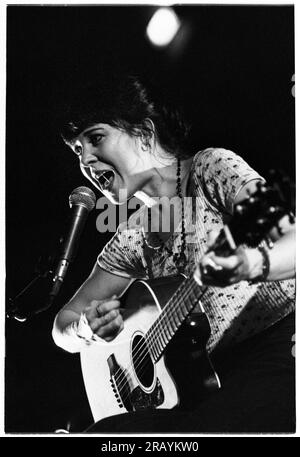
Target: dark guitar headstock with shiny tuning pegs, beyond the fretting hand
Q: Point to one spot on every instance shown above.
(255, 216)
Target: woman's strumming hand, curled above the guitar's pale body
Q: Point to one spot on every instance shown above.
(105, 317)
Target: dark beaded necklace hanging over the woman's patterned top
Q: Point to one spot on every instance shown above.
(179, 258)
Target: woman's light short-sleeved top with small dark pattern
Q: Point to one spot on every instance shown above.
(235, 312)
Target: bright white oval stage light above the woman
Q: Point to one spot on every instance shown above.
(163, 27)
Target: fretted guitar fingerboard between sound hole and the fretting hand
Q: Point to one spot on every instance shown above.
(173, 315)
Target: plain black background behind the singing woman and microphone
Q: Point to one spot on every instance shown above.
(230, 69)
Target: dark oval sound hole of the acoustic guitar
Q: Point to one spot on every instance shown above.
(142, 363)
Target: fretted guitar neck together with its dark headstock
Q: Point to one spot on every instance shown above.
(252, 220)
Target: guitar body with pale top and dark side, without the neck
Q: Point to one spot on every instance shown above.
(122, 375)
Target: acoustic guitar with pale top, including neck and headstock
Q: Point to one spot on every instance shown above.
(159, 360)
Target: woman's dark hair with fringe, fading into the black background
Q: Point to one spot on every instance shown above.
(127, 103)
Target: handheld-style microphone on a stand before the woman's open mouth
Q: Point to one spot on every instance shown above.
(82, 200)
